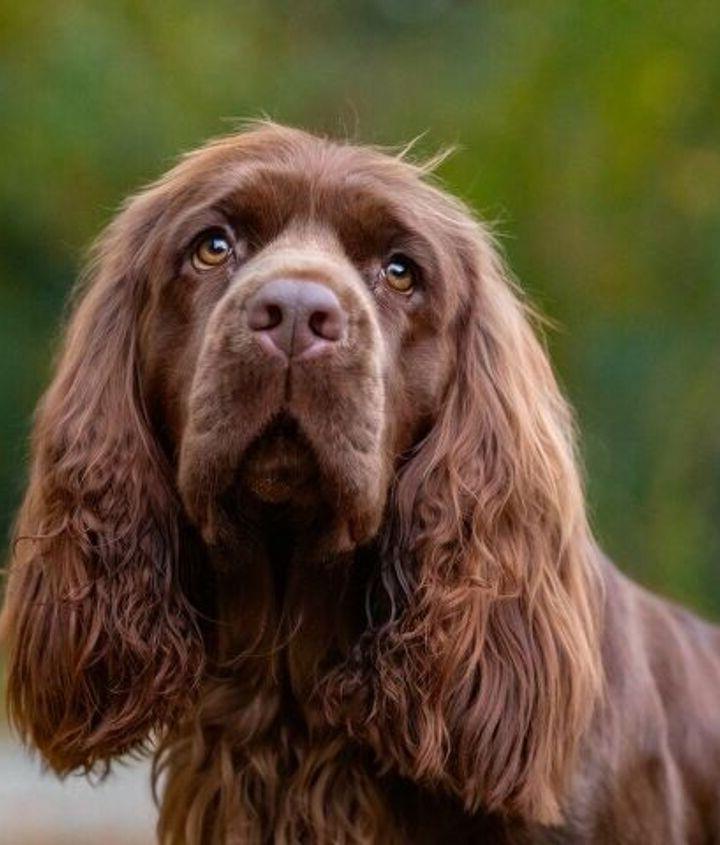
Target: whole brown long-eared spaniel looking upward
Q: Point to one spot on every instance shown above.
(304, 516)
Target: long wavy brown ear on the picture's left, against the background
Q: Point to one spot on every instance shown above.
(104, 646)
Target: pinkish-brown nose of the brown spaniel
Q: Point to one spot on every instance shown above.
(298, 318)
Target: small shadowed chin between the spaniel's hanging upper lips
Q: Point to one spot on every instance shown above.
(280, 468)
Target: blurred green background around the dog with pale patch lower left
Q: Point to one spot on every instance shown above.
(588, 132)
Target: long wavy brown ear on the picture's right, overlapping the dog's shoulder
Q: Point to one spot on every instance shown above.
(482, 676)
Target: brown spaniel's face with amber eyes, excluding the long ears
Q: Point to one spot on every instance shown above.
(296, 341)
